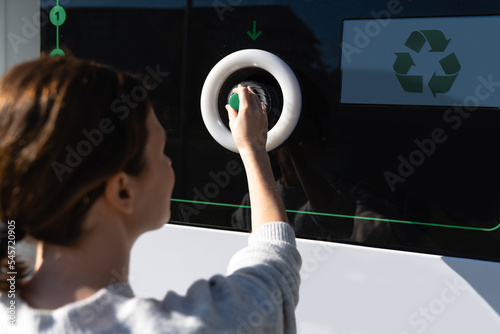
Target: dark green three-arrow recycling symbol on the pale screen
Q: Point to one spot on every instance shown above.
(404, 61)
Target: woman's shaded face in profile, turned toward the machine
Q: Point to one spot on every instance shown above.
(157, 180)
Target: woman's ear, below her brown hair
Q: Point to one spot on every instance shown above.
(119, 194)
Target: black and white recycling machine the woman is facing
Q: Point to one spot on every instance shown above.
(383, 133)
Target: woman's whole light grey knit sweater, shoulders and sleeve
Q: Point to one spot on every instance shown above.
(259, 295)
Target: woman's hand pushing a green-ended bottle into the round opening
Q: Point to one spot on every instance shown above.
(249, 124)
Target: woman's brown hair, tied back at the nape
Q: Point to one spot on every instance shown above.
(66, 127)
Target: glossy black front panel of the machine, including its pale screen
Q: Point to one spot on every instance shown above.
(363, 165)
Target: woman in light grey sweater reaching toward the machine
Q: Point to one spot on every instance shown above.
(85, 179)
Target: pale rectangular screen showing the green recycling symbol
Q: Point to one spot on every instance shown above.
(421, 61)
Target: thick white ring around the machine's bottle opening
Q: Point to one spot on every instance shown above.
(292, 97)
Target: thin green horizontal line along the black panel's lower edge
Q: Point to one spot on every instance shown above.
(347, 216)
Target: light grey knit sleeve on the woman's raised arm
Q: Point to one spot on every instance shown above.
(259, 294)
